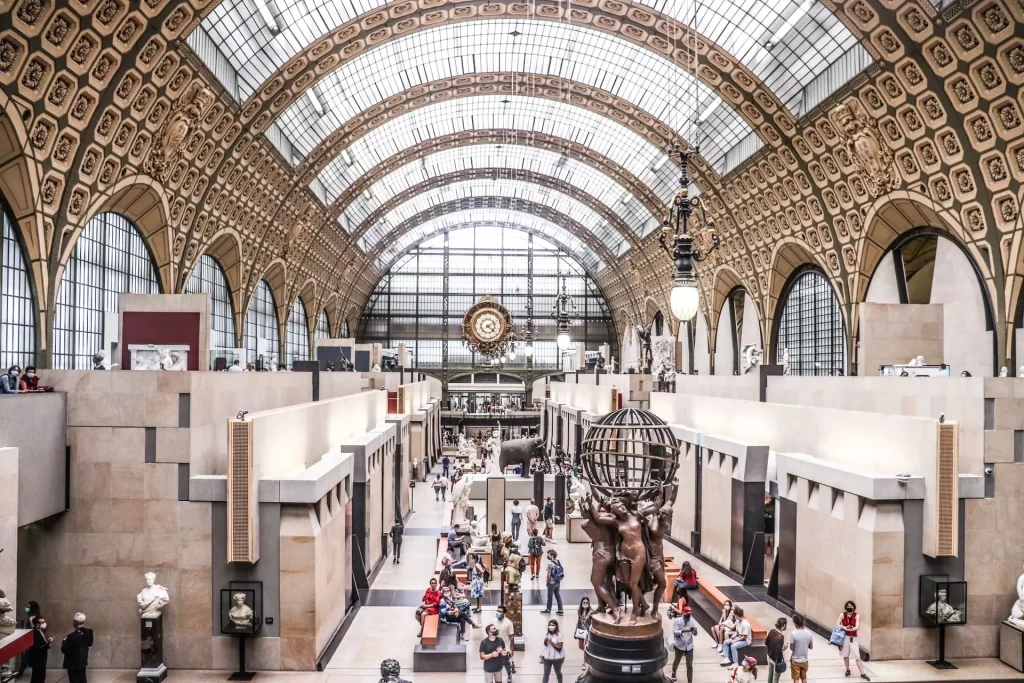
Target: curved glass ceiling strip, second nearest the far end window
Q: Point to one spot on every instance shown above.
(505, 188)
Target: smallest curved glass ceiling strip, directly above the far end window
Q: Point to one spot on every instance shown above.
(564, 238)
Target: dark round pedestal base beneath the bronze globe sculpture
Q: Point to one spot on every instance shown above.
(623, 653)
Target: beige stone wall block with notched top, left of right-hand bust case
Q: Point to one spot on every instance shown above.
(849, 552)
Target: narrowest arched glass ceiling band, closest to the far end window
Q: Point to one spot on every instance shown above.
(499, 218)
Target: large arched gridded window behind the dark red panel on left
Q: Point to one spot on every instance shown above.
(110, 259)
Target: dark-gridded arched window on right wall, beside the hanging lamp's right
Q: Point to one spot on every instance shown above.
(813, 328)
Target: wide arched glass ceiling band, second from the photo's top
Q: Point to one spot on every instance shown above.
(584, 56)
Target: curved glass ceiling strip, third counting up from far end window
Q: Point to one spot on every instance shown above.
(588, 185)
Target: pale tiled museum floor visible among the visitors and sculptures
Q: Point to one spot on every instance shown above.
(386, 627)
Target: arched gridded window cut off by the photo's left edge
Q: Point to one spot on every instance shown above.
(18, 320)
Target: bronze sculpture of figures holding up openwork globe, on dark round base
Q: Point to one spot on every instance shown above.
(630, 459)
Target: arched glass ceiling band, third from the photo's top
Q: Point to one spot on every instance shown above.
(519, 115)
